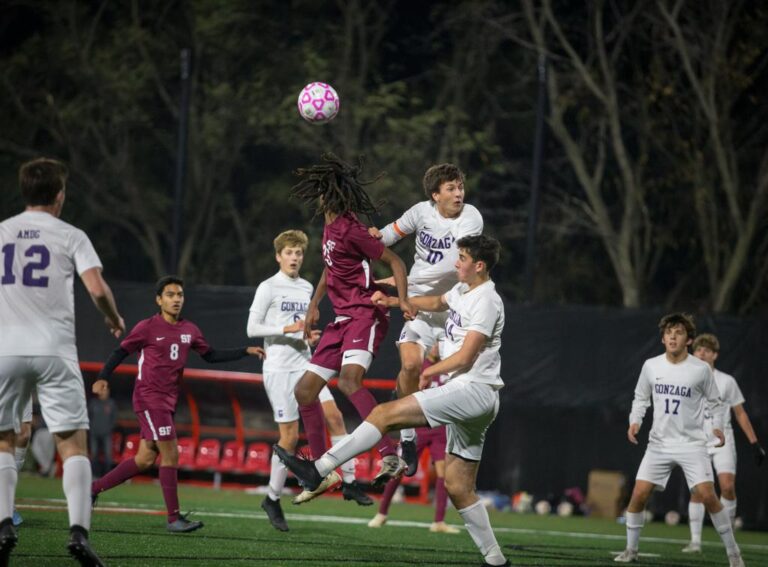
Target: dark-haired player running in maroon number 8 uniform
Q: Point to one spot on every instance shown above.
(164, 342)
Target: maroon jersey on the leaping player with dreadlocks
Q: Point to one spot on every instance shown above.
(348, 250)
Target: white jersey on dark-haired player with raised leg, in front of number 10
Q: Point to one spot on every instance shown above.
(481, 310)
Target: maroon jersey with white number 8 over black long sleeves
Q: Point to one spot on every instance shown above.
(164, 350)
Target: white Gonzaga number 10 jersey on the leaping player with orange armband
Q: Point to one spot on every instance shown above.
(433, 271)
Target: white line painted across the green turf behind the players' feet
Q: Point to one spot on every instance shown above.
(115, 507)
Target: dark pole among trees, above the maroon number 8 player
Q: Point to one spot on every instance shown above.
(181, 161)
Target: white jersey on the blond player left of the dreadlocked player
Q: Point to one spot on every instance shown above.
(281, 301)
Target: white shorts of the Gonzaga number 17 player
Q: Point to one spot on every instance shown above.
(657, 466)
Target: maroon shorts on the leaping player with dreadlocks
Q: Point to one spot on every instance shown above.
(364, 334)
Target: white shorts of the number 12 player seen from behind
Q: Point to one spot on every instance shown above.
(60, 391)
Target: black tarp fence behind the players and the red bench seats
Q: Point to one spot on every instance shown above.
(570, 374)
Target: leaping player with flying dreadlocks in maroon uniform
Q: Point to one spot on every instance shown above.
(350, 342)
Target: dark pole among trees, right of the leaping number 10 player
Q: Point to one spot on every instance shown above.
(533, 206)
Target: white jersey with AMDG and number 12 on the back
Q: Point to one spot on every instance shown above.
(39, 256)
